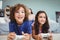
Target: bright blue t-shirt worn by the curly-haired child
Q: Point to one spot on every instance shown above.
(25, 27)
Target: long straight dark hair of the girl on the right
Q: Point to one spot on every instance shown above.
(45, 26)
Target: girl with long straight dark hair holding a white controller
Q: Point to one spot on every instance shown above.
(40, 26)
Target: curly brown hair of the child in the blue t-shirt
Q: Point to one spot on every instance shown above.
(16, 8)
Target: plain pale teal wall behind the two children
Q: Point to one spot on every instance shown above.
(50, 6)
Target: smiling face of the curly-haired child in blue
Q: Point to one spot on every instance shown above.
(20, 15)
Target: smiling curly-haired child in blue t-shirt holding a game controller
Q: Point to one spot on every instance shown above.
(19, 23)
